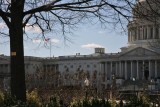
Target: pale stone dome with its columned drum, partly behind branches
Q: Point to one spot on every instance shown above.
(144, 29)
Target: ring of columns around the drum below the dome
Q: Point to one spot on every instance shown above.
(143, 33)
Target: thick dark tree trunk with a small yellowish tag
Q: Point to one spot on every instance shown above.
(18, 88)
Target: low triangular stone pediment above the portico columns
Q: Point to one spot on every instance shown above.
(139, 51)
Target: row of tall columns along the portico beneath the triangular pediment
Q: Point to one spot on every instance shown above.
(129, 69)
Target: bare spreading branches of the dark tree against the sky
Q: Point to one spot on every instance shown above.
(65, 14)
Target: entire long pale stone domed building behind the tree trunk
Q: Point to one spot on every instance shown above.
(138, 62)
